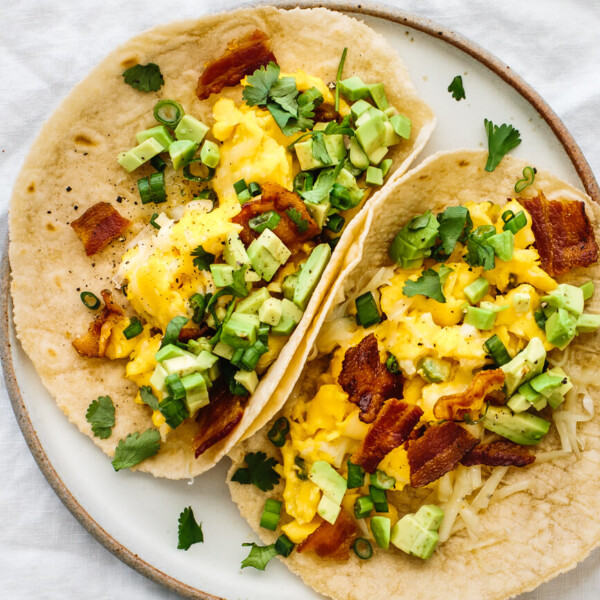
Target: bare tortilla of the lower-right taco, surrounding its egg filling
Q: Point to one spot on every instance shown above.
(528, 537)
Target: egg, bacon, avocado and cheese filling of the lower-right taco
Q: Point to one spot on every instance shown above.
(440, 375)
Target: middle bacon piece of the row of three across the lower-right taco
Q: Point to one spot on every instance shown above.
(437, 452)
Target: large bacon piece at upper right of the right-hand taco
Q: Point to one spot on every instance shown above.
(564, 236)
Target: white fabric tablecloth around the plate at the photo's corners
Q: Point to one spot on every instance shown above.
(46, 47)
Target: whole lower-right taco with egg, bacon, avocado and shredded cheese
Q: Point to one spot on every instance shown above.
(443, 441)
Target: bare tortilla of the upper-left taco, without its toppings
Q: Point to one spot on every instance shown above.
(72, 166)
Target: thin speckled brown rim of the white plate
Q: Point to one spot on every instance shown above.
(366, 8)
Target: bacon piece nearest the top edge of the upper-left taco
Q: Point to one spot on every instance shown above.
(241, 58)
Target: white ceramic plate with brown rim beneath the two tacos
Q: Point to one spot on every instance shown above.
(135, 515)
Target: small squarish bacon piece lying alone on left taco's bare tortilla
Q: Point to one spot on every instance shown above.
(98, 226)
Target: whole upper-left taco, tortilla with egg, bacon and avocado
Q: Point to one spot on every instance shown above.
(203, 182)
